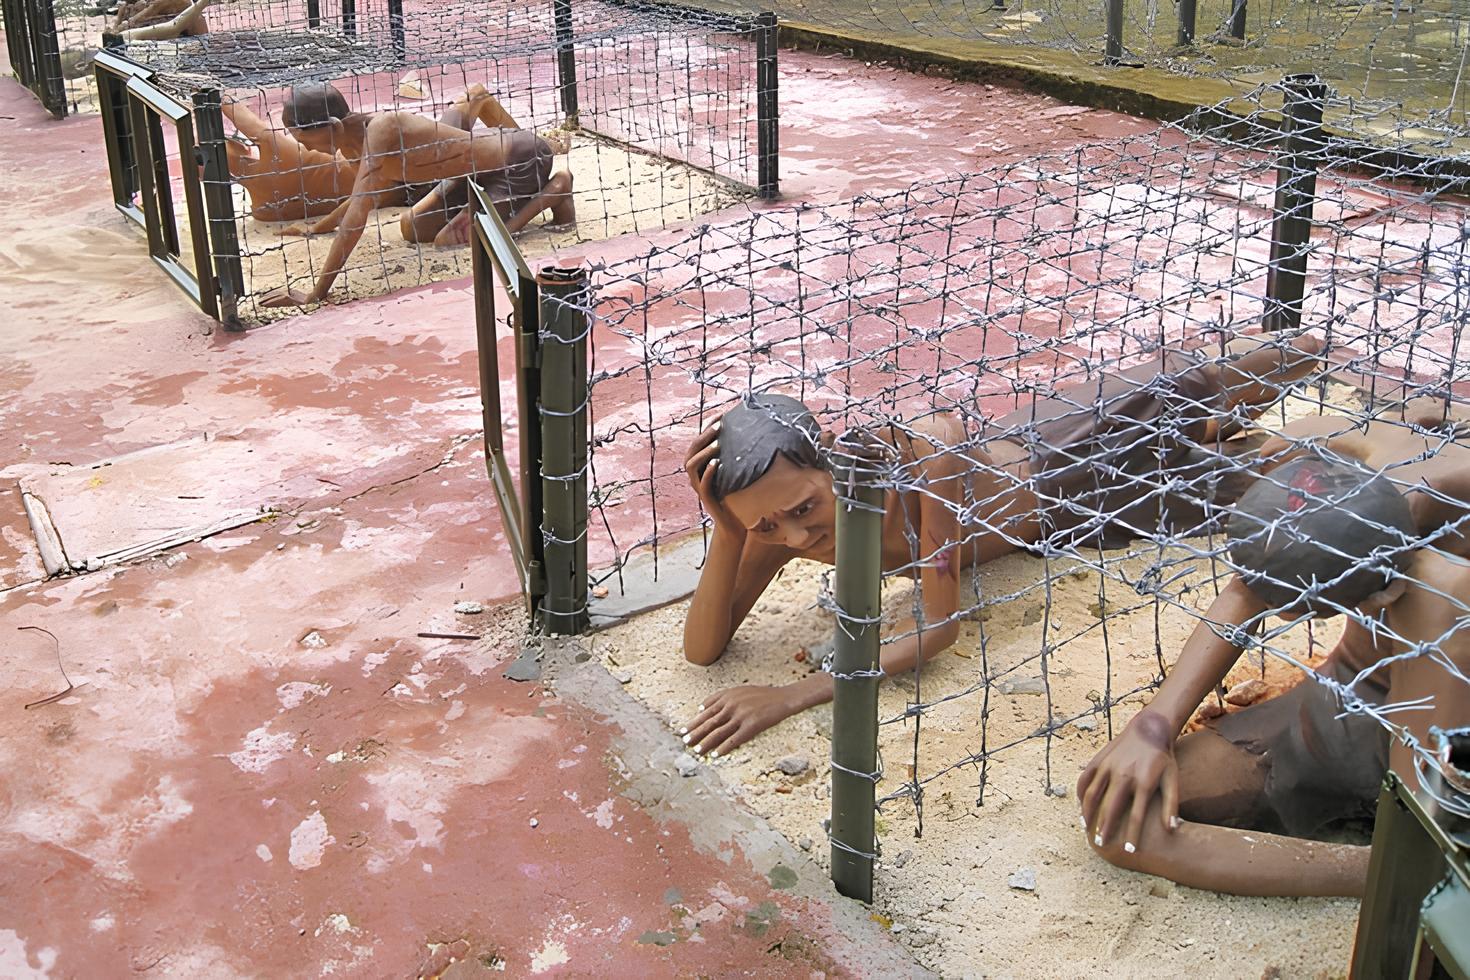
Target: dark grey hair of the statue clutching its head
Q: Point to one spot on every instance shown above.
(759, 430)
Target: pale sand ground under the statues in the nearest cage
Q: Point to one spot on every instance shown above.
(947, 894)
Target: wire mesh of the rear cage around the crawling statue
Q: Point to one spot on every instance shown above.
(614, 120)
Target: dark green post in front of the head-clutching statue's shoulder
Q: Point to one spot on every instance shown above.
(855, 671)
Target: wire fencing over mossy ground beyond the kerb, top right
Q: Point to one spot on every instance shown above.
(1400, 68)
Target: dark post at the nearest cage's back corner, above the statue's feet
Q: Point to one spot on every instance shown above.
(1296, 193)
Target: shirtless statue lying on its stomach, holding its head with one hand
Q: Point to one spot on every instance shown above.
(1083, 466)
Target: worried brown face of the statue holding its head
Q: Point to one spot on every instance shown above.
(790, 506)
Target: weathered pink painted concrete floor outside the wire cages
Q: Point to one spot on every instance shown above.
(264, 772)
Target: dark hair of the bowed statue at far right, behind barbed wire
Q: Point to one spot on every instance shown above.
(1316, 534)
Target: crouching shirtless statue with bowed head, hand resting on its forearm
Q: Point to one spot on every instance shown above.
(1359, 519)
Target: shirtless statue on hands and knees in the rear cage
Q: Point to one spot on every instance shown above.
(396, 149)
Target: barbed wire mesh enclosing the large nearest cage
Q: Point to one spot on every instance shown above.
(997, 302)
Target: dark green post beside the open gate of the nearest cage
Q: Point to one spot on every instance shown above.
(564, 446)
